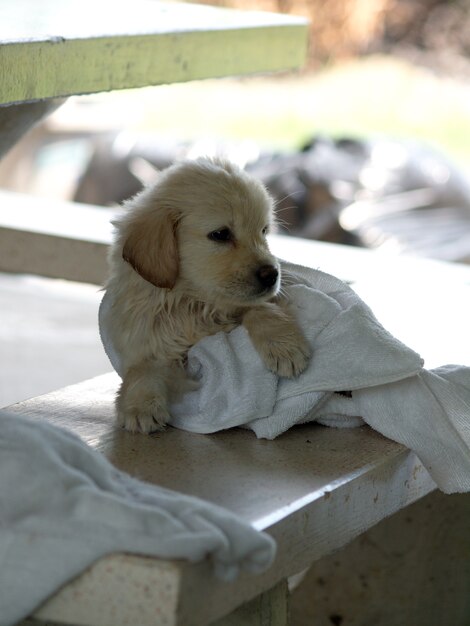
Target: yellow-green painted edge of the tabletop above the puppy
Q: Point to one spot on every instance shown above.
(35, 70)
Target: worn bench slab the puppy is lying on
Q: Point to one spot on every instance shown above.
(314, 489)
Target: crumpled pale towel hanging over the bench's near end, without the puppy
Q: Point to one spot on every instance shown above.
(63, 506)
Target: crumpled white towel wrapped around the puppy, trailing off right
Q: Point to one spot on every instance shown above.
(427, 411)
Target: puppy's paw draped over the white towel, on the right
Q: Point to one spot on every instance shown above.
(285, 357)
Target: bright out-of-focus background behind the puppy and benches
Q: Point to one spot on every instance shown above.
(368, 146)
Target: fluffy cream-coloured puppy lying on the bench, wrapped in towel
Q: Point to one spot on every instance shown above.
(190, 259)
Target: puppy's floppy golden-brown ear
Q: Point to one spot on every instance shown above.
(151, 247)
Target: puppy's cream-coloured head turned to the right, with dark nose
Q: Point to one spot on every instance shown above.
(202, 230)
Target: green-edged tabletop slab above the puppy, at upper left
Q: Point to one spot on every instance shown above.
(60, 50)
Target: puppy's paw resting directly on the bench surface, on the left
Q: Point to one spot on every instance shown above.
(147, 416)
